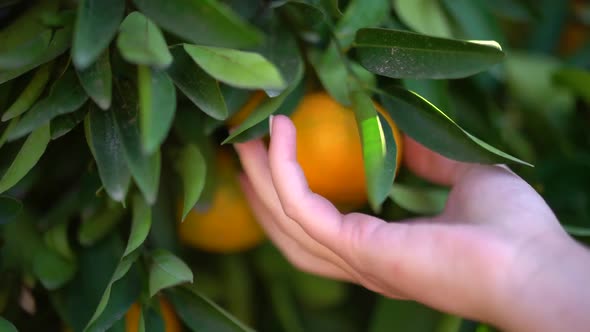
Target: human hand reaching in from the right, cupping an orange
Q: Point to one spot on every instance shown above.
(497, 253)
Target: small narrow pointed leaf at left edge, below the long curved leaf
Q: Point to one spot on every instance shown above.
(30, 94)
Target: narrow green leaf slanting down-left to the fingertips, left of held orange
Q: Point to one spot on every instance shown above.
(263, 111)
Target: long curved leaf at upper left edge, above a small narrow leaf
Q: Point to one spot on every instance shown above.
(60, 42)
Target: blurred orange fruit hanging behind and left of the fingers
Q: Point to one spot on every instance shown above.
(228, 225)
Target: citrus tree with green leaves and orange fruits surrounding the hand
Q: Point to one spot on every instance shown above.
(120, 207)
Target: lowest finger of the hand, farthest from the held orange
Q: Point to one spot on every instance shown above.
(294, 252)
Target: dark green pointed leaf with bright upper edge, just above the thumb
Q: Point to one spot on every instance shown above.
(432, 128)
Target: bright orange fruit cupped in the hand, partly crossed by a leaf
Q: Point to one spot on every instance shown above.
(329, 149)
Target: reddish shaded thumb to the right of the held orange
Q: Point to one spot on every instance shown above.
(431, 165)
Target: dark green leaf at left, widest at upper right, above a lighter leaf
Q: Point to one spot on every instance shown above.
(66, 96)
